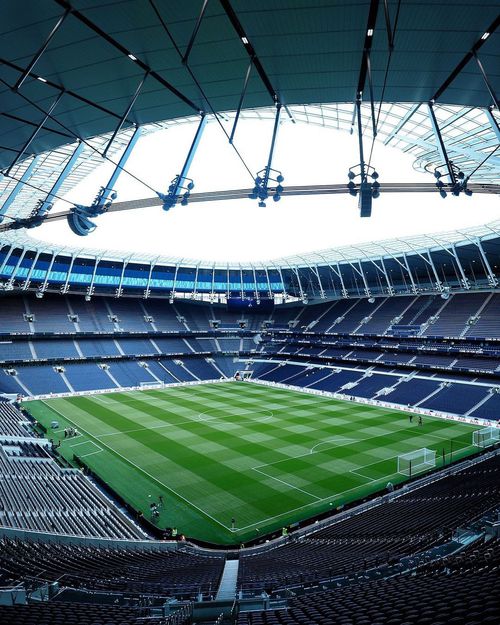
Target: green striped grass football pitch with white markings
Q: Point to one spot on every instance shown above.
(266, 457)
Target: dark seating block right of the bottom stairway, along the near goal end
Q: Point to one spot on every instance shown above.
(406, 525)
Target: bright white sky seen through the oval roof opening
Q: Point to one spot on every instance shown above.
(240, 230)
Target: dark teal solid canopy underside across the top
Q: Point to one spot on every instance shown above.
(310, 51)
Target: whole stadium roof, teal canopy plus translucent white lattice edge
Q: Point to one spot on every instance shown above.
(94, 70)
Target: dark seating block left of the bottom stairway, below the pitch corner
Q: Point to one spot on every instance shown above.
(177, 572)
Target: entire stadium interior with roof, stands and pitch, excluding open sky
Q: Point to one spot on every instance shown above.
(264, 515)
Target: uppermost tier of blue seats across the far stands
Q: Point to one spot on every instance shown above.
(467, 314)
